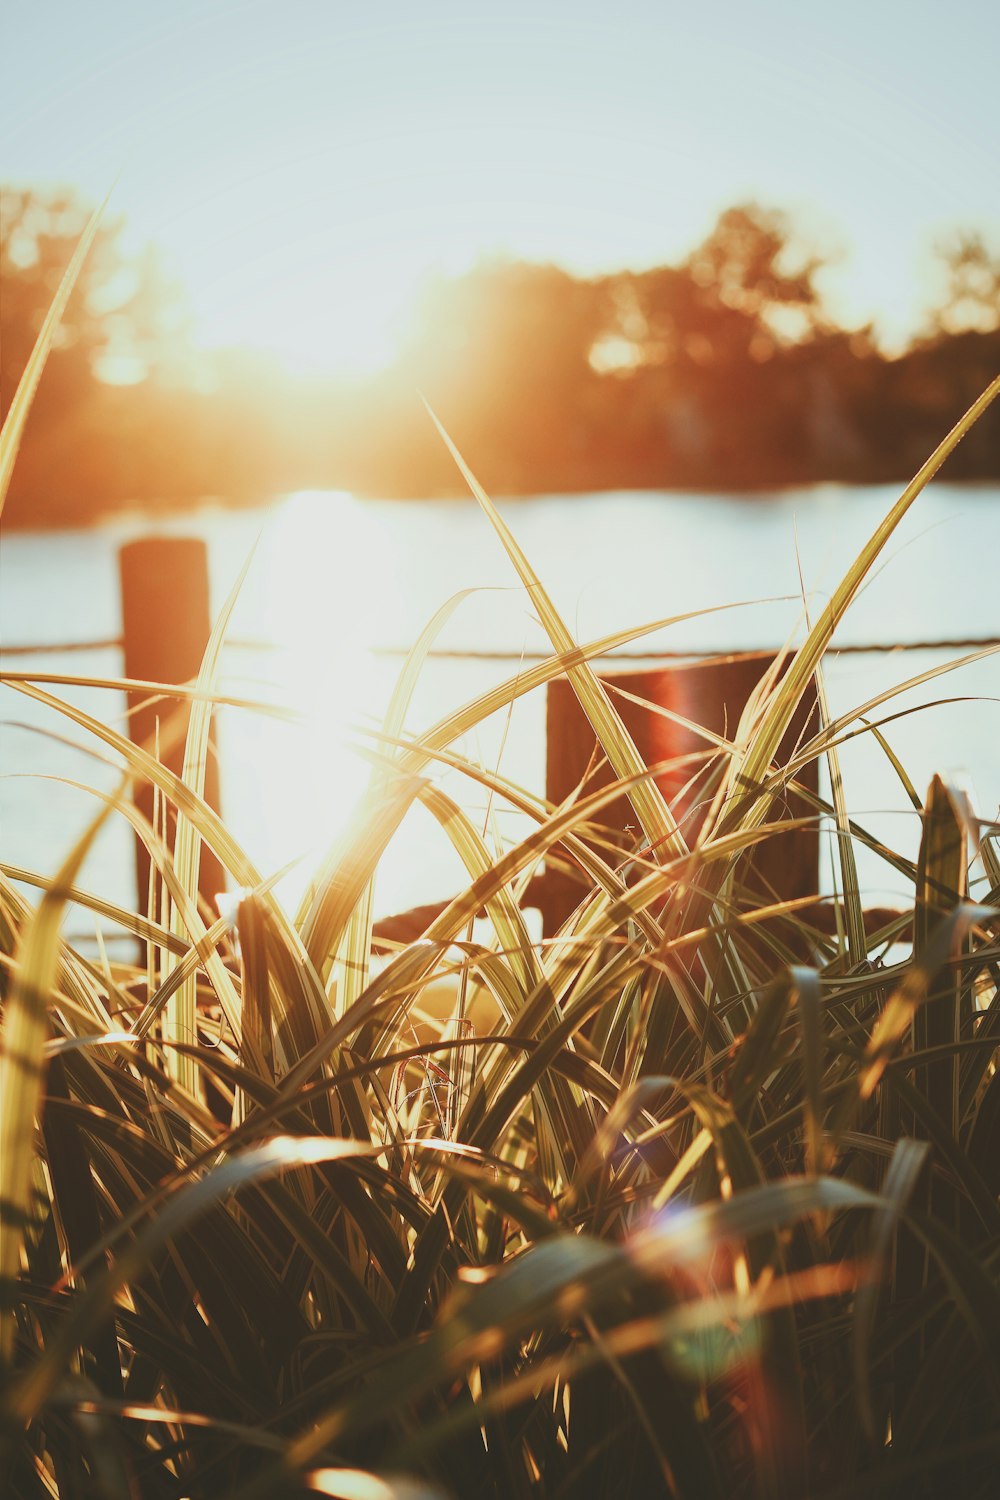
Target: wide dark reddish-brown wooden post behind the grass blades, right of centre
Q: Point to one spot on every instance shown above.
(710, 694)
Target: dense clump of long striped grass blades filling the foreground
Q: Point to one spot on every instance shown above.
(651, 1208)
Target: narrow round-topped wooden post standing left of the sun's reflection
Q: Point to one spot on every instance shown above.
(166, 626)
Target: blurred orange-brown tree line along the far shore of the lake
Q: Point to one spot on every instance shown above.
(725, 371)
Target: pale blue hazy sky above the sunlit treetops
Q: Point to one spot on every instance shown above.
(308, 164)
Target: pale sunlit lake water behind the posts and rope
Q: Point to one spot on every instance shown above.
(338, 584)
